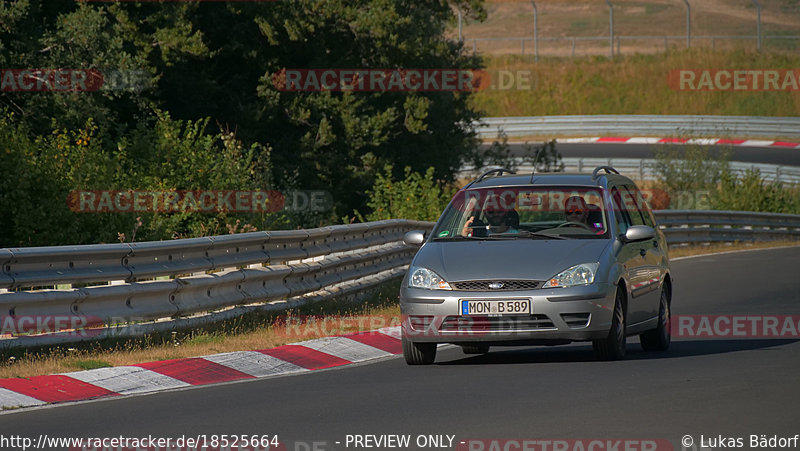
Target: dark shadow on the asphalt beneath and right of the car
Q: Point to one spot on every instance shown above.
(583, 353)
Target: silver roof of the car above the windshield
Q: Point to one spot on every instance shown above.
(550, 178)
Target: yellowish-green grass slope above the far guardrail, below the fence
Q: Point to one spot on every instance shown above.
(633, 85)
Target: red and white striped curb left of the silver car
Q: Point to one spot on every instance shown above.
(151, 377)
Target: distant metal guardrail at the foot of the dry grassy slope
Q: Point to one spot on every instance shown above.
(641, 125)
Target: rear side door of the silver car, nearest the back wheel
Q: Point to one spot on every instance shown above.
(652, 252)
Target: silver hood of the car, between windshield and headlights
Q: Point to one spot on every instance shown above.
(507, 259)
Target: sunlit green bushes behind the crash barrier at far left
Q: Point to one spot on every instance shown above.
(161, 154)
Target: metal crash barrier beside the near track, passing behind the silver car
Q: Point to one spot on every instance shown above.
(159, 286)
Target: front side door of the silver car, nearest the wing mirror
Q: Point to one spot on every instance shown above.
(632, 257)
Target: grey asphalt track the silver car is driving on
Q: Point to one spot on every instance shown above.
(728, 387)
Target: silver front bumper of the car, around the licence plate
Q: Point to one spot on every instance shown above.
(558, 315)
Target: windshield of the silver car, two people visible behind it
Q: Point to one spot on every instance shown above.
(524, 212)
